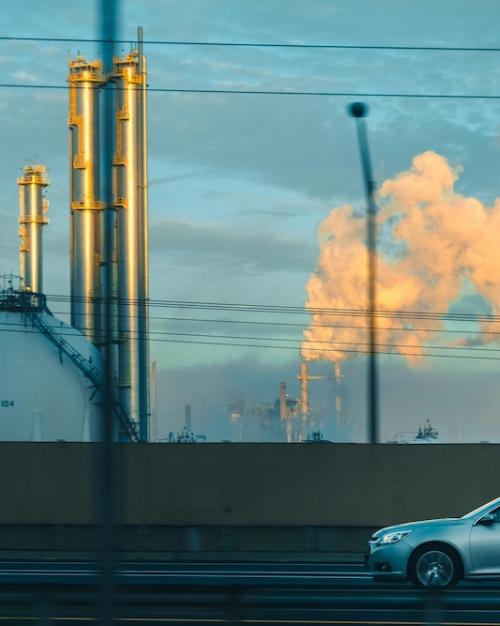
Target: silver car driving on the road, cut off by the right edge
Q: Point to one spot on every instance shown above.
(439, 552)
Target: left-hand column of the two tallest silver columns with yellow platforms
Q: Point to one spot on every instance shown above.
(85, 78)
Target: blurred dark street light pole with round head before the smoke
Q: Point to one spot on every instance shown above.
(359, 111)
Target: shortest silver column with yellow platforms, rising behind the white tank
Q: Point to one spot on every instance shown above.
(32, 208)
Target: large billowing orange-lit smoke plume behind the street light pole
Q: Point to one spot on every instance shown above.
(432, 243)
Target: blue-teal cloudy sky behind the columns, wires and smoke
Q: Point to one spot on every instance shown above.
(240, 183)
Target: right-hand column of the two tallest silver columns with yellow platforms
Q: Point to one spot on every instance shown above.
(130, 200)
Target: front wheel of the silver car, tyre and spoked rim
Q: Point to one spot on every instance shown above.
(435, 567)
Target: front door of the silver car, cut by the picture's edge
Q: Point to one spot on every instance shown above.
(485, 546)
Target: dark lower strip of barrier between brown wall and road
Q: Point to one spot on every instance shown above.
(185, 542)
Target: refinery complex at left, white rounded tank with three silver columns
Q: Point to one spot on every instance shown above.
(52, 380)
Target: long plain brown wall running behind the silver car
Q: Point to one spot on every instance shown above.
(249, 485)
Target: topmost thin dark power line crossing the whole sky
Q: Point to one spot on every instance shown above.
(255, 44)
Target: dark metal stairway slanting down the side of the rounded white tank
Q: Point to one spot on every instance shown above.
(86, 367)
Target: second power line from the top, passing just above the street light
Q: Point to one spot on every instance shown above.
(268, 92)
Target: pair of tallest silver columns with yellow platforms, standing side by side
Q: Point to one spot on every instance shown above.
(129, 289)
